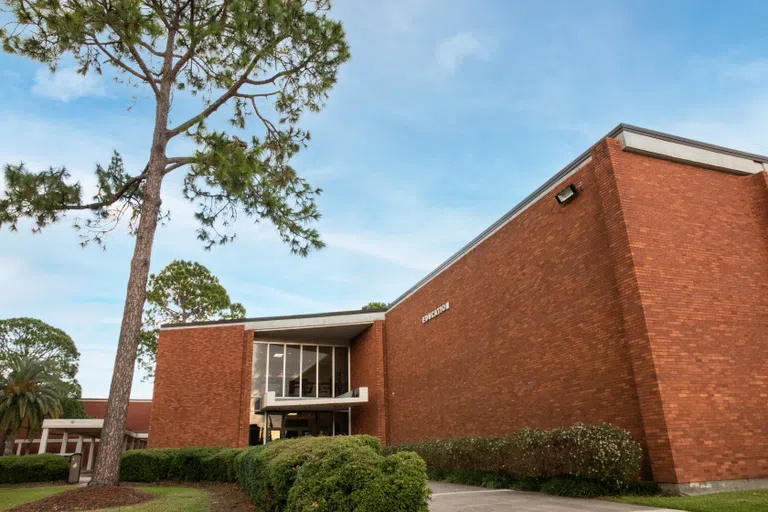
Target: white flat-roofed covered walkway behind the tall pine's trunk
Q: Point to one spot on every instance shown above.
(87, 431)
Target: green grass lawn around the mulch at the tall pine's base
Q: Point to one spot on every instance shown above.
(170, 499)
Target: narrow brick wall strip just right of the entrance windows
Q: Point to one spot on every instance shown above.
(367, 360)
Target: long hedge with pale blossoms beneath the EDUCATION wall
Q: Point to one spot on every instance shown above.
(579, 460)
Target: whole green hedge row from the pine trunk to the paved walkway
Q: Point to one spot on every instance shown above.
(323, 474)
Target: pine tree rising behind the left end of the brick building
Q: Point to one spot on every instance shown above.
(184, 291)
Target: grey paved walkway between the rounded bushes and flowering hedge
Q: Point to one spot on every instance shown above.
(455, 498)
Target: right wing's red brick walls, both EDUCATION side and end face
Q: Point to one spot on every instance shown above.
(644, 303)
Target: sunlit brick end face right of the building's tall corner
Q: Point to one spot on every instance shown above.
(699, 241)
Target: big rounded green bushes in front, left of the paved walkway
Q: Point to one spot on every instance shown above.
(328, 474)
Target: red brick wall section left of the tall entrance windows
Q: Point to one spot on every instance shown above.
(200, 385)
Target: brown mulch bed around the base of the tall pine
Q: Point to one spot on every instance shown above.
(86, 498)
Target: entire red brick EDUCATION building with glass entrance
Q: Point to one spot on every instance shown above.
(631, 288)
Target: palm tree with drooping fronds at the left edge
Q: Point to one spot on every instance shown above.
(28, 390)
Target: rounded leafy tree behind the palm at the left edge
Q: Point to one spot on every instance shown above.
(37, 340)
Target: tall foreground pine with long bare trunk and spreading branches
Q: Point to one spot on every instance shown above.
(269, 60)
